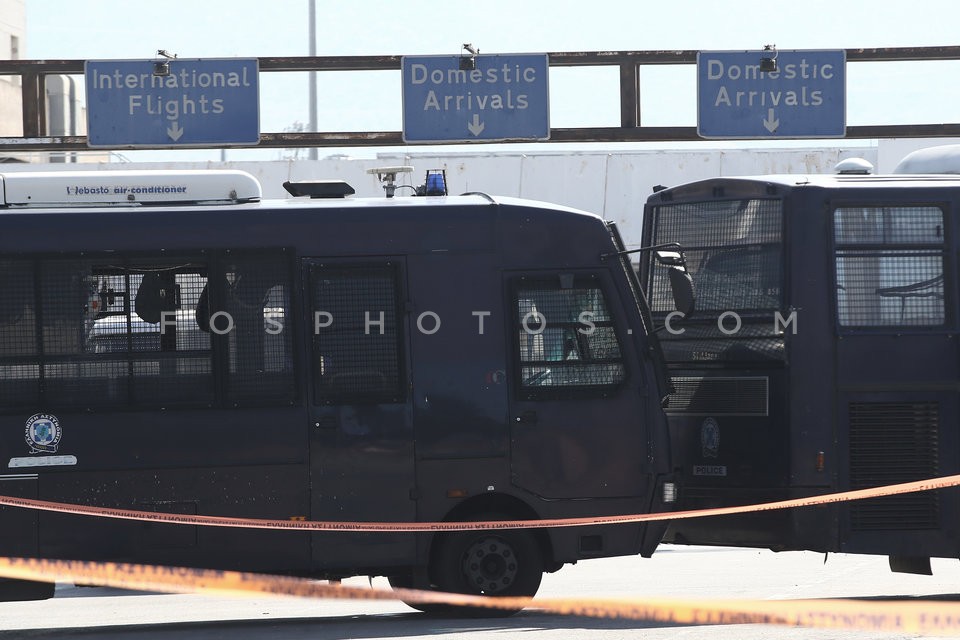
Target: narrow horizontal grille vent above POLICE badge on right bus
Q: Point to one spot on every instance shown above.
(719, 396)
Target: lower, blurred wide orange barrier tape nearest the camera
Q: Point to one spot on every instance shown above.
(926, 618)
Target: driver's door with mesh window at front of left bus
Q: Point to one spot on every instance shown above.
(577, 415)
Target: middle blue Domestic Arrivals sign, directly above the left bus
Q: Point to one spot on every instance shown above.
(475, 98)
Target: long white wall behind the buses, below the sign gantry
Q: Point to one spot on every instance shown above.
(614, 185)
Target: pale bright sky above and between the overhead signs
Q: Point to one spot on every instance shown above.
(877, 93)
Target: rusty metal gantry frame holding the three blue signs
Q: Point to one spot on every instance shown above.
(35, 136)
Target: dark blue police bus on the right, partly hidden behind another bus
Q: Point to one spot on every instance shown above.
(823, 356)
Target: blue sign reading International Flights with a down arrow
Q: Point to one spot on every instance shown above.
(172, 102)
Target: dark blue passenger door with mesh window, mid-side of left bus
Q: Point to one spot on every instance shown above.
(361, 442)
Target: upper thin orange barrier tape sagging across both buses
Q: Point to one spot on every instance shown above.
(252, 523)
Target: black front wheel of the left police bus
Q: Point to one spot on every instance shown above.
(491, 563)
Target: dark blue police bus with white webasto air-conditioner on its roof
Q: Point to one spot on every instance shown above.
(169, 342)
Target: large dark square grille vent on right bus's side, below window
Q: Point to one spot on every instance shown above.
(893, 442)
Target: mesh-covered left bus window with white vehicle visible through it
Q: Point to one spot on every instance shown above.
(115, 331)
